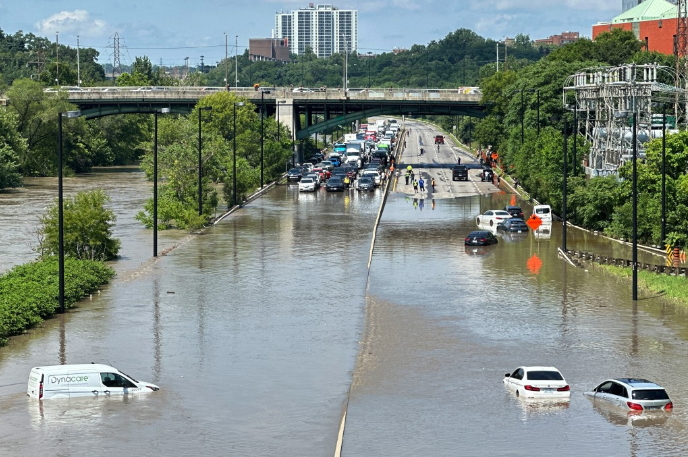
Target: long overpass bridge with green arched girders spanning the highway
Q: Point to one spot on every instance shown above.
(303, 111)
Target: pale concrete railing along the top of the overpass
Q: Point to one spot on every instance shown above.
(161, 93)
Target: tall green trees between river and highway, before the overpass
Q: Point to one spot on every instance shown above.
(178, 159)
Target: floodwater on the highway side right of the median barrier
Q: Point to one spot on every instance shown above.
(444, 324)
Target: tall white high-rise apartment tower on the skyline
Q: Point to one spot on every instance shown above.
(325, 29)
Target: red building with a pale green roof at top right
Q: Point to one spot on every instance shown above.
(653, 22)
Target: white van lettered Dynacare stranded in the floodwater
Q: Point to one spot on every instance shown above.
(85, 380)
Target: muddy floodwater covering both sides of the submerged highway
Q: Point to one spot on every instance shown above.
(256, 330)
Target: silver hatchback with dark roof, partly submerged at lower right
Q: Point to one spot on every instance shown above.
(632, 394)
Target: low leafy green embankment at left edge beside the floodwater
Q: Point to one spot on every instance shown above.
(29, 293)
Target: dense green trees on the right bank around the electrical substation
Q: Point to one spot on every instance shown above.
(602, 204)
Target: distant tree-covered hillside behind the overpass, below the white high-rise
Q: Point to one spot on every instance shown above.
(460, 59)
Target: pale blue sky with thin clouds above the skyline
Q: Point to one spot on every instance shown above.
(168, 31)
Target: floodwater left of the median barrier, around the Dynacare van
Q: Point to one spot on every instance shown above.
(251, 329)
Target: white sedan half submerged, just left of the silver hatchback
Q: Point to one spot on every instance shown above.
(537, 383)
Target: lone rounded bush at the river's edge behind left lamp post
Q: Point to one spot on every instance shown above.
(87, 228)
